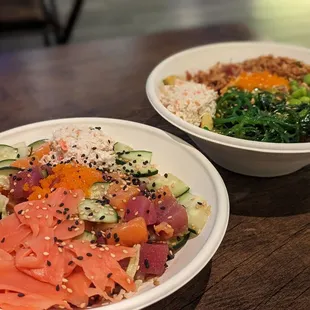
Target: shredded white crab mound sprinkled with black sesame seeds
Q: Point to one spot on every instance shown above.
(86, 146)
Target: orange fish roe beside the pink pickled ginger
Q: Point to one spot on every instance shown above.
(67, 176)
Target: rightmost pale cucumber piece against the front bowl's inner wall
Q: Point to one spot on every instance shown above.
(197, 209)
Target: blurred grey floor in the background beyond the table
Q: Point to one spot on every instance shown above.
(281, 20)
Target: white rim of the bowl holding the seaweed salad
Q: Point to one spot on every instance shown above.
(257, 146)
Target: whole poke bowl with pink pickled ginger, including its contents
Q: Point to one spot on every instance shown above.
(98, 213)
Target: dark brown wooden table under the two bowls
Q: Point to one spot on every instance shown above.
(264, 260)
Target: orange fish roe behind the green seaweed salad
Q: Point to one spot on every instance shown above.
(262, 80)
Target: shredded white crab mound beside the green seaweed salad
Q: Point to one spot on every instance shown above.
(189, 100)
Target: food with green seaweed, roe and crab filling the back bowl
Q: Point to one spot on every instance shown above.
(263, 99)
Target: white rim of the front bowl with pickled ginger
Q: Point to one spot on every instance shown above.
(211, 244)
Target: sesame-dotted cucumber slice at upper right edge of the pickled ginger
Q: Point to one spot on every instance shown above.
(94, 210)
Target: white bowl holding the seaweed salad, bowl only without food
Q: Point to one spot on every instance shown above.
(253, 158)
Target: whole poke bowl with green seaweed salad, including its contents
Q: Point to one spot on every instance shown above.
(245, 104)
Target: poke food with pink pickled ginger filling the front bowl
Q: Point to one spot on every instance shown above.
(87, 220)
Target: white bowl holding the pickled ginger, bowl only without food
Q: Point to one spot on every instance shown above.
(173, 155)
